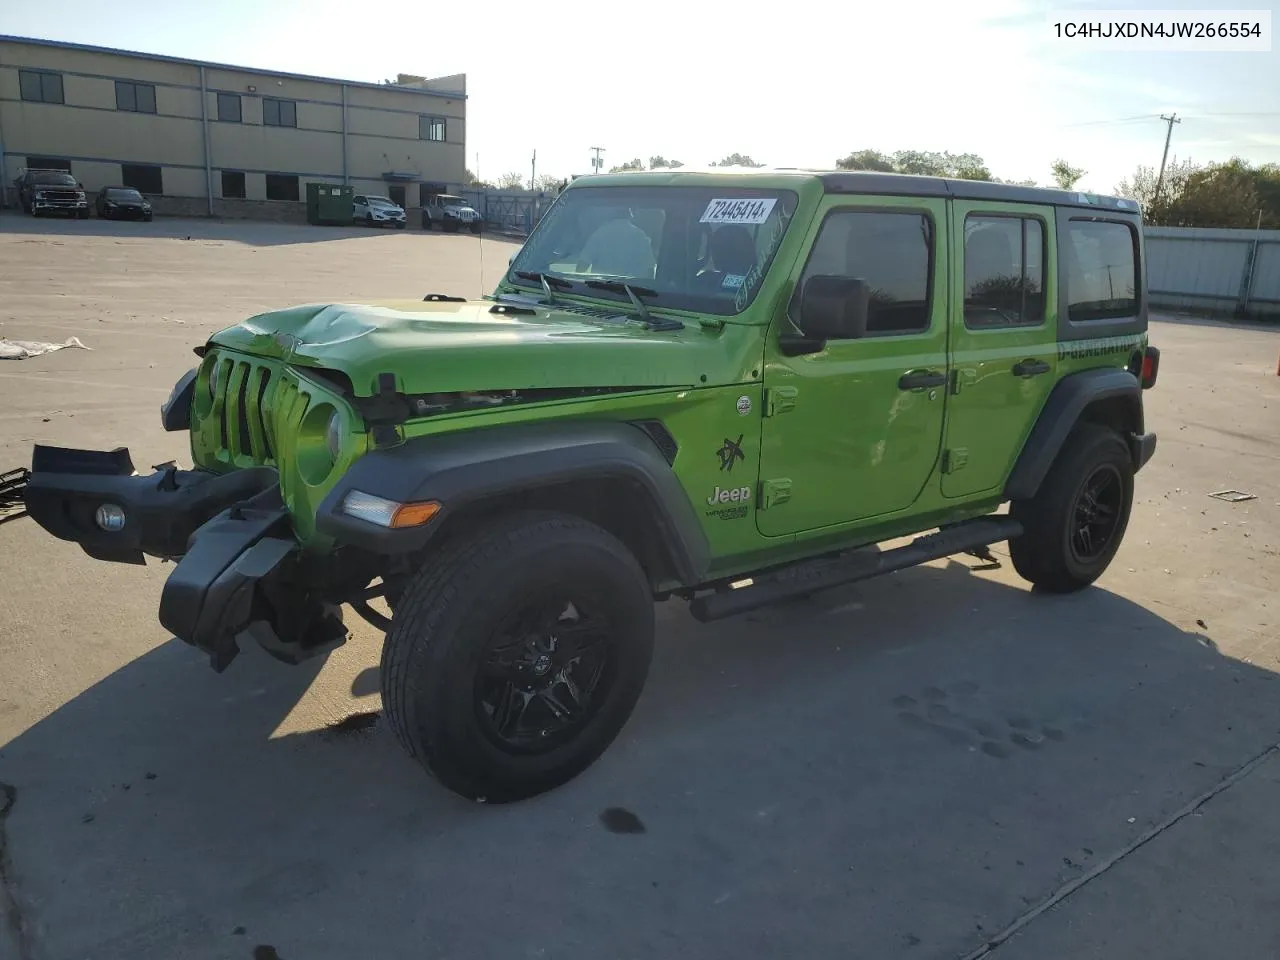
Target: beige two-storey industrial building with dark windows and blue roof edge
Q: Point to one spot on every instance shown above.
(230, 141)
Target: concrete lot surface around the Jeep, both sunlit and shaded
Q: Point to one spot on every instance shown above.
(936, 765)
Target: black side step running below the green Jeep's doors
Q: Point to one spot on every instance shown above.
(811, 577)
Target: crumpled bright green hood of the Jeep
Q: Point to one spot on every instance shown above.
(447, 348)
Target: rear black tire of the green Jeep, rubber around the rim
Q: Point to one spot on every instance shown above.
(1045, 554)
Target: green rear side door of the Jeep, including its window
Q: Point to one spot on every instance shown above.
(1004, 344)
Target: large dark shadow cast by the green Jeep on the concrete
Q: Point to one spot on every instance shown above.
(906, 764)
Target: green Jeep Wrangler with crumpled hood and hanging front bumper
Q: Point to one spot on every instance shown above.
(723, 387)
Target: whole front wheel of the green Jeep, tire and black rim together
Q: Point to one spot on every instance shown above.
(518, 655)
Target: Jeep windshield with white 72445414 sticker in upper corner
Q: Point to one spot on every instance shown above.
(700, 249)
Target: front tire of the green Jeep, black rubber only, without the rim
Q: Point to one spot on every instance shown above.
(456, 604)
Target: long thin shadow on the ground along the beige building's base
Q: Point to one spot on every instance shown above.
(257, 234)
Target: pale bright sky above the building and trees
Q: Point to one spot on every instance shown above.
(797, 84)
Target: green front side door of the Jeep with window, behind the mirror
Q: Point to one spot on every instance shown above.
(854, 433)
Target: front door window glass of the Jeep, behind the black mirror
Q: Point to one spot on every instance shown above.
(893, 253)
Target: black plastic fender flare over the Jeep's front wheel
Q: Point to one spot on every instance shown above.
(472, 467)
